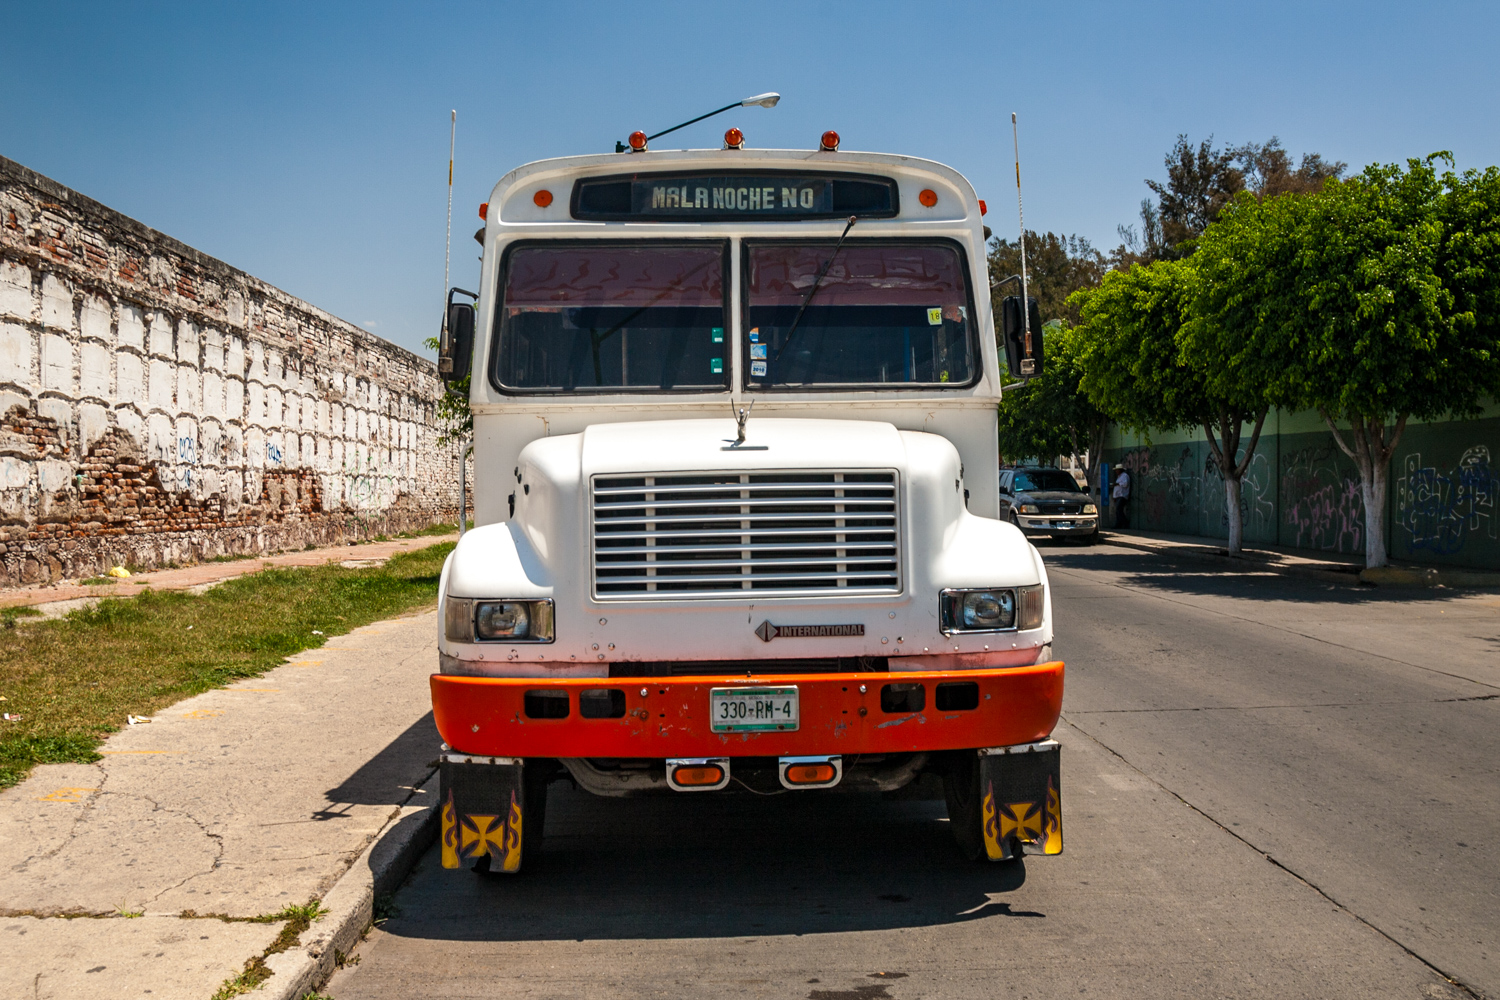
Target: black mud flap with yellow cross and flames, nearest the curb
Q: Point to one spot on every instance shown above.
(482, 801)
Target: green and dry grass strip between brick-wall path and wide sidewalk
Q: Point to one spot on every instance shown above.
(74, 680)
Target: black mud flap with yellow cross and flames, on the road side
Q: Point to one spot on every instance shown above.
(1021, 803)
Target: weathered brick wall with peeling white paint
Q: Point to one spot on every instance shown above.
(158, 406)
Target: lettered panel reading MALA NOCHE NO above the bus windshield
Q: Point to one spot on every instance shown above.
(731, 197)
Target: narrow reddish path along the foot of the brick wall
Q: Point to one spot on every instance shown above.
(209, 573)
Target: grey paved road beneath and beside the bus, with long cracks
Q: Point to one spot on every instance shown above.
(1273, 788)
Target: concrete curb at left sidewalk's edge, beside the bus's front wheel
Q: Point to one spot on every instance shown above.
(350, 903)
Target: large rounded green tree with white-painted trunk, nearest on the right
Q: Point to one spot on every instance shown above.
(1387, 310)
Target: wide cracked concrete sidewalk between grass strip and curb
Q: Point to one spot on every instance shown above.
(232, 804)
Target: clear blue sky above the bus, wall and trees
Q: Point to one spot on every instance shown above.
(308, 143)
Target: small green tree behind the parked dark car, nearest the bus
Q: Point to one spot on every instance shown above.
(1052, 415)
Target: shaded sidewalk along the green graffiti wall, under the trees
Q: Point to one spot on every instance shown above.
(1330, 567)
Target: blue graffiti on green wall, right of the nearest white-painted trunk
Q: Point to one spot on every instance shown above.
(1442, 510)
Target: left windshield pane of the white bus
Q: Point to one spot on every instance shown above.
(592, 317)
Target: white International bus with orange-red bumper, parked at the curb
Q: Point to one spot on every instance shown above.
(736, 501)
